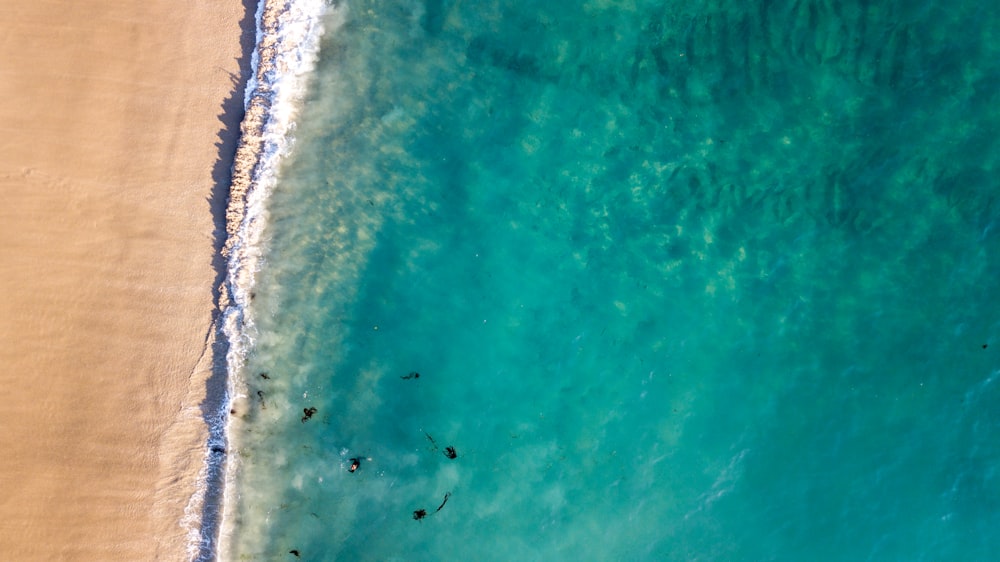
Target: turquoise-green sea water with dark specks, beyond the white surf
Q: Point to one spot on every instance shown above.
(682, 281)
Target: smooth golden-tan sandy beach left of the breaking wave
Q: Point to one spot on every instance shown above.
(118, 121)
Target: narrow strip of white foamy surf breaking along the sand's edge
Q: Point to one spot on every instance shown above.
(288, 35)
